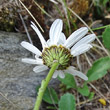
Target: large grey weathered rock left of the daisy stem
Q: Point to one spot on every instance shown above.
(17, 80)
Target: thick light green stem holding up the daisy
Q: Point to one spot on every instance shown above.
(44, 84)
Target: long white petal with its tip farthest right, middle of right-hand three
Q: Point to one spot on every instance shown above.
(85, 40)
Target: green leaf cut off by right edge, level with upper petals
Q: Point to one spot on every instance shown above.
(106, 37)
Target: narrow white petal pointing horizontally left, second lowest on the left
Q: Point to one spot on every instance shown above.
(32, 61)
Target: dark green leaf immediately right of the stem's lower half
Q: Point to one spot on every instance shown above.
(50, 96)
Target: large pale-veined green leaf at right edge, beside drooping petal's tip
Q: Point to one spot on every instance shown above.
(98, 69)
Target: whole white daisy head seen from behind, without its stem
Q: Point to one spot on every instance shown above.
(57, 47)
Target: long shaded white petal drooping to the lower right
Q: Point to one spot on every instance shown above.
(77, 73)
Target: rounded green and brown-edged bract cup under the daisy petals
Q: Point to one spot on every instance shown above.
(57, 53)
